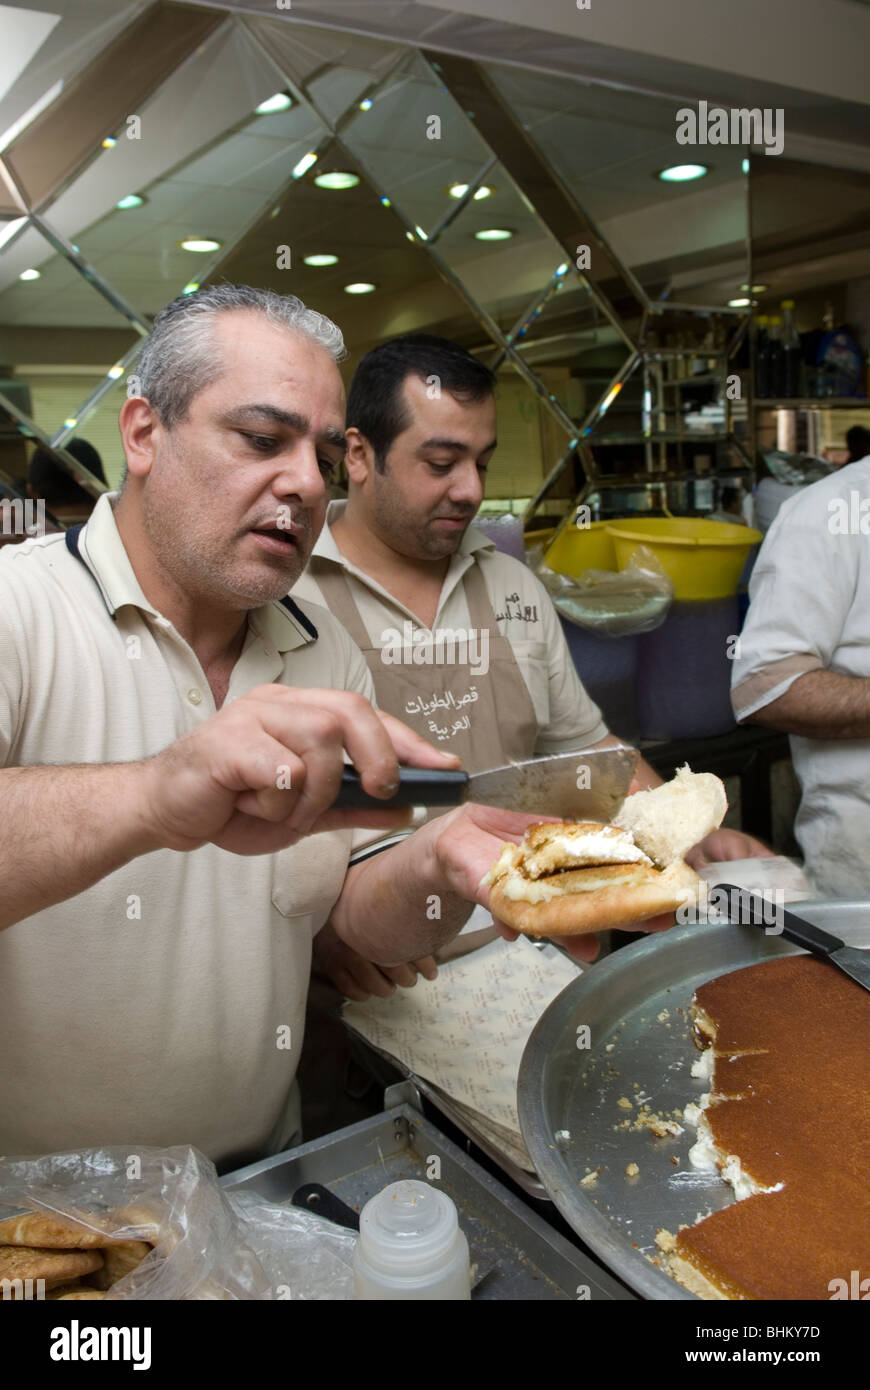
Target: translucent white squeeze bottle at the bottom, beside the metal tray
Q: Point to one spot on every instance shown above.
(411, 1246)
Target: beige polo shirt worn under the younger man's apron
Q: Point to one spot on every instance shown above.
(568, 719)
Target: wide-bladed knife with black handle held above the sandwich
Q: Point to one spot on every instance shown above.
(591, 785)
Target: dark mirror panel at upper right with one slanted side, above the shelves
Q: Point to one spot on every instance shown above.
(683, 240)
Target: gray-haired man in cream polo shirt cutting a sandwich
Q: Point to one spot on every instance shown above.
(173, 733)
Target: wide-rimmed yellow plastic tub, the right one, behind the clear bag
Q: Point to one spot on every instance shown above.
(704, 559)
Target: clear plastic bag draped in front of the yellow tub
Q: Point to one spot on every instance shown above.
(623, 604)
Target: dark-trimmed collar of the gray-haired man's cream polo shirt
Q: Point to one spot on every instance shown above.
(102, 551)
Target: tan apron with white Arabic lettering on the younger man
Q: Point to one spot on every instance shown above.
(487, 719)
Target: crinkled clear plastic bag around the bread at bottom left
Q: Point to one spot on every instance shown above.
(208, 1243)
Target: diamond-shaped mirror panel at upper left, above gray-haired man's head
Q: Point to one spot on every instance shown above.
(169, 222)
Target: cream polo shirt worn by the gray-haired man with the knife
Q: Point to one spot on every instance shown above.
(166, 1004)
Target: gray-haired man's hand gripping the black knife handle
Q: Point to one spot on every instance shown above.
(266, 769)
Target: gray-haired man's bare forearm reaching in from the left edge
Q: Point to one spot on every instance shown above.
(63, 829)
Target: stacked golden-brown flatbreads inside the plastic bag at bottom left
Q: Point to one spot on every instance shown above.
(73, 1261)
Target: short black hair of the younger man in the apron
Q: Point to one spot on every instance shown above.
(375, 401)
